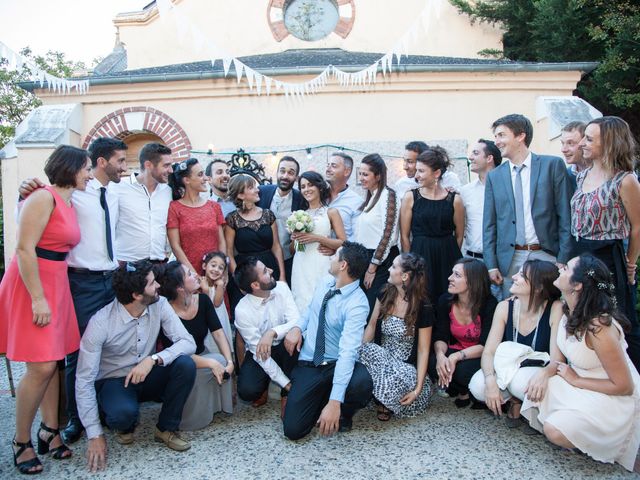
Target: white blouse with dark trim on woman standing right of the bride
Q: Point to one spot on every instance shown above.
(377, 229)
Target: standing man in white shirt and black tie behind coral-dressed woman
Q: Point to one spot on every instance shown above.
(93, 260)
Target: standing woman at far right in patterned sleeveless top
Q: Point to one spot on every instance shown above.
(605, 211)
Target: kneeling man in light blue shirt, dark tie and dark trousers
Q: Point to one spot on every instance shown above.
(328, 386)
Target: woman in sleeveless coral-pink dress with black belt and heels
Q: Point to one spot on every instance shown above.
(37, 319)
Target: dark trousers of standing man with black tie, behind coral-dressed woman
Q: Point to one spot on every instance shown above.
(89, 293)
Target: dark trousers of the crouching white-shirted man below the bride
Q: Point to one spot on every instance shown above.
(252, 379)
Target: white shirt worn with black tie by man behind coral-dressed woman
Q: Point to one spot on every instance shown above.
(92, 252)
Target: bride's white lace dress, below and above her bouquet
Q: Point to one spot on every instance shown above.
(310, 266)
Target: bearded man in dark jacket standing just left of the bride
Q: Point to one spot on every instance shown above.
(282, 200)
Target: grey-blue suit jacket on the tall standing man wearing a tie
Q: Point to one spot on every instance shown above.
(551, 194)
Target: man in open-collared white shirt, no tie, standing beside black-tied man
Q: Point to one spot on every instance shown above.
(141, 233)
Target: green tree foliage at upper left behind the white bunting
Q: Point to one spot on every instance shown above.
(16, 103)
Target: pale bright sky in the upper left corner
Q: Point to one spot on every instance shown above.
(82, 29)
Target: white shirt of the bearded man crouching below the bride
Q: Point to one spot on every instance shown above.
(256, 315)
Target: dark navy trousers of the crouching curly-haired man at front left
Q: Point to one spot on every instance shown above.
(170, 385)
